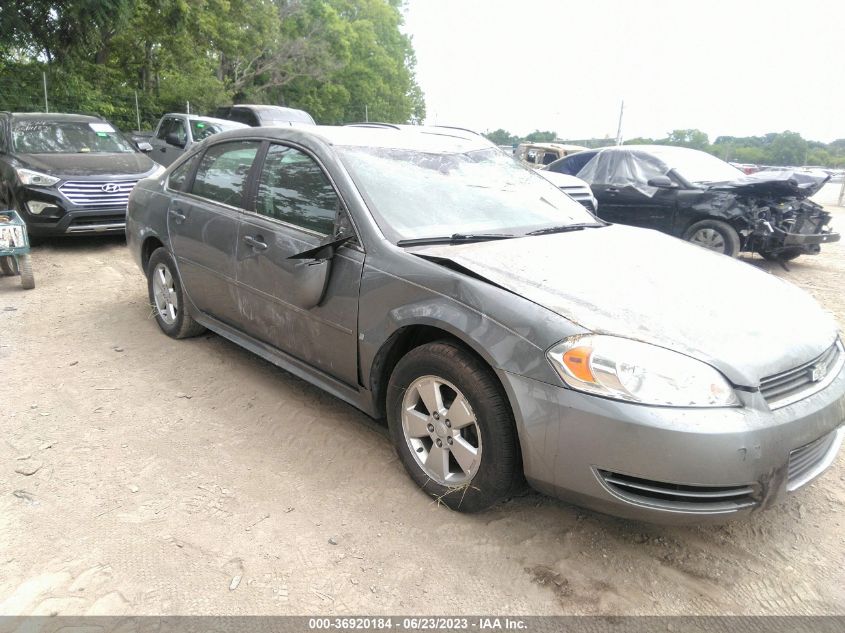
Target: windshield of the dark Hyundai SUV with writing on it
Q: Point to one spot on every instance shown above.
(63, 137)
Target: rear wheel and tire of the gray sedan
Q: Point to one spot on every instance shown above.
(167, 297)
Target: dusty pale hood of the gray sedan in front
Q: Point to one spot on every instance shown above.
(644, 285)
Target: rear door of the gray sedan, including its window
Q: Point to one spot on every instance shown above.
(203, 226)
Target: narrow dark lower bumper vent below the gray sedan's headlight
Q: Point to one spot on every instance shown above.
(679, 497)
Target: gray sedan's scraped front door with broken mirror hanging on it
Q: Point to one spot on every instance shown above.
(296, 207)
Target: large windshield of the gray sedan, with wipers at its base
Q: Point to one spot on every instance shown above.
(419, 195)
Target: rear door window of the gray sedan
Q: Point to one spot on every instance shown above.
(223, 171)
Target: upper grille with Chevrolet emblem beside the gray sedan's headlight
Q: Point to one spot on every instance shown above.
(803, 381)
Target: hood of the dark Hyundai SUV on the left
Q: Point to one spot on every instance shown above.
(83, 164)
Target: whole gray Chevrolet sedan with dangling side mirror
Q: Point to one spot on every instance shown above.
(503, 331)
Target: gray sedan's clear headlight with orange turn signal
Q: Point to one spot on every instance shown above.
(624, 369)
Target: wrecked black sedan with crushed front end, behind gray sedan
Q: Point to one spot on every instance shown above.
(697, 197)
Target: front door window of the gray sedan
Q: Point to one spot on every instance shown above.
(294, 189)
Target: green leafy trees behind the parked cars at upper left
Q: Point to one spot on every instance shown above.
(338, 59)
